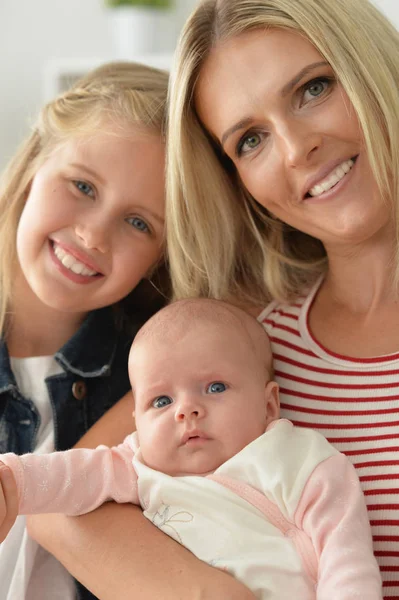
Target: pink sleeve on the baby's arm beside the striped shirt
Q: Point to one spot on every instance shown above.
(333, 513)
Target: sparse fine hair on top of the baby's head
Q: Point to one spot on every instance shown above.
(181, 315)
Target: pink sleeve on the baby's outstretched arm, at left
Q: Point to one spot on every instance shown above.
(76, 481)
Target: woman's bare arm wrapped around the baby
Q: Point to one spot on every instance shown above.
(117, 553)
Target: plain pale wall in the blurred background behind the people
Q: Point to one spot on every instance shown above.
(33, 31)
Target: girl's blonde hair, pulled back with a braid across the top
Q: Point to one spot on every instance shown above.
(123, 93)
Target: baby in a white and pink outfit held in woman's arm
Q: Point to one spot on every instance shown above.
(212, 465)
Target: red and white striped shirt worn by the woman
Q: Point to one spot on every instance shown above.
(354, 403)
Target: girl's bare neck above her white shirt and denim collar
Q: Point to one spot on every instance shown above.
(35, 329)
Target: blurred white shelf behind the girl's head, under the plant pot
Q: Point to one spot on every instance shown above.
(59, 74)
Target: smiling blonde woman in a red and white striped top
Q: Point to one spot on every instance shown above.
(283, 178)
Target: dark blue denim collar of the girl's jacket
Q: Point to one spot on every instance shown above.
(88, 353)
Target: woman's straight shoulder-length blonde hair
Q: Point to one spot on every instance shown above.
(221, 242)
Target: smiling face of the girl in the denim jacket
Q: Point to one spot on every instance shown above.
(93, 222)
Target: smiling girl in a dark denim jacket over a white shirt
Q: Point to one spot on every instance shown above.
(82, 224)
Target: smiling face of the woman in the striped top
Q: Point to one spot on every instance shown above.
(278, 112)
